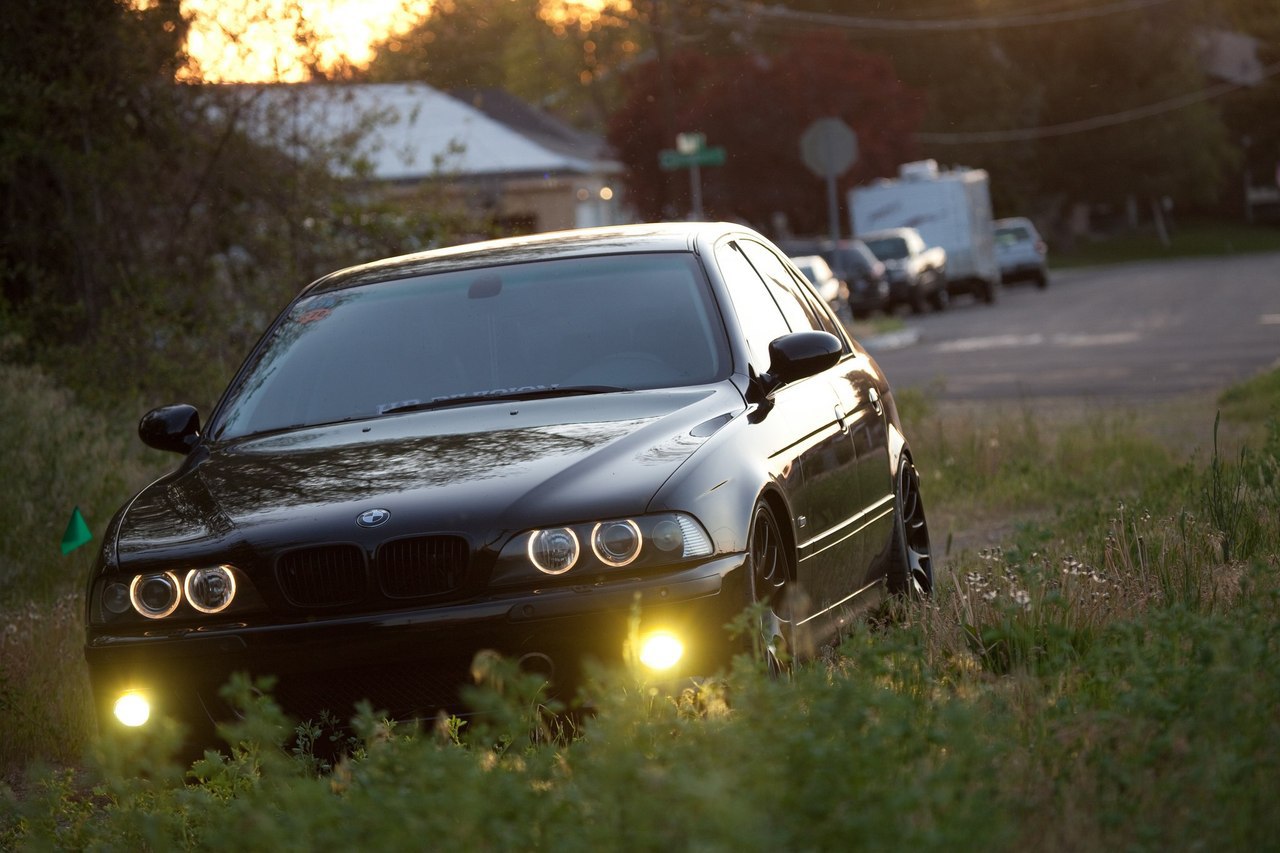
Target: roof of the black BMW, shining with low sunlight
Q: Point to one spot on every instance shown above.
(610, 240)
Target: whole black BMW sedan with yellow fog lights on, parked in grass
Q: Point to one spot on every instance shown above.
(509, 446)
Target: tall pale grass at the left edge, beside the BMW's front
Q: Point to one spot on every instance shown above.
(58, 457)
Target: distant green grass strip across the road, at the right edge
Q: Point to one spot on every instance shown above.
(1190, 240)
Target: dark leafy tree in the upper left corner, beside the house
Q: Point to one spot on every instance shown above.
(150, 229)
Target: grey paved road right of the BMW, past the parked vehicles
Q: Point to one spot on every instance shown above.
(1146, 330)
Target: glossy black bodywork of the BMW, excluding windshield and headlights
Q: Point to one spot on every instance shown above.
(813, 435)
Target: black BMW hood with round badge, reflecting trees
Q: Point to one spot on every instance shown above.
(481, 471)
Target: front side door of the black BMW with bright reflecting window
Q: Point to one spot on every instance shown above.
(810, 431)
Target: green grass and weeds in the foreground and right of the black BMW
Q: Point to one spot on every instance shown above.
(1099, 678)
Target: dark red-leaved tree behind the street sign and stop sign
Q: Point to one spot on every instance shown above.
(758, 107)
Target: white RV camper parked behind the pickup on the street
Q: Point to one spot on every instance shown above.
(950, 209)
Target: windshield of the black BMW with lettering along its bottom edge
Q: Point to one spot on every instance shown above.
(519, 331)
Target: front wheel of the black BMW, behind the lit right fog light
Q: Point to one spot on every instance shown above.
(769, 574)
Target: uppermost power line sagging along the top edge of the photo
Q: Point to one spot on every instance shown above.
(781, 15)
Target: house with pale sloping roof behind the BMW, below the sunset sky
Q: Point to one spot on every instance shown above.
(483, 149)
